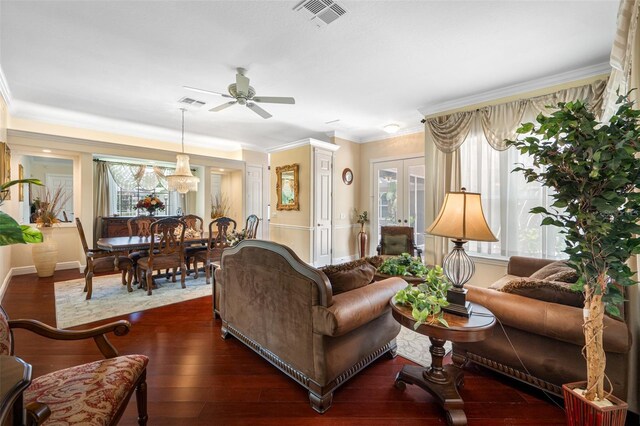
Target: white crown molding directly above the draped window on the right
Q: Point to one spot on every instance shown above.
(529, 86)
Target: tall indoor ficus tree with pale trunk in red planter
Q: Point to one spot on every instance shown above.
(594, 171)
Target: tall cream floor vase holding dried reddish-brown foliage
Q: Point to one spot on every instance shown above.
(48, 207)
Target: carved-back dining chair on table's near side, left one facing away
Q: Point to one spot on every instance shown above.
(166, 251)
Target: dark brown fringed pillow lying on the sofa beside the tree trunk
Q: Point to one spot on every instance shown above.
(545, 290)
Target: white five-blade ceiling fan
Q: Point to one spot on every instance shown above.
(243, 94)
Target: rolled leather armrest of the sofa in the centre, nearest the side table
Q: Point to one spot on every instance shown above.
(355, 308)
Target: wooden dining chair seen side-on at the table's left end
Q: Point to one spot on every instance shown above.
(99, 260)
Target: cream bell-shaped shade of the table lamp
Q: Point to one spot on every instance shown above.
(461, 218)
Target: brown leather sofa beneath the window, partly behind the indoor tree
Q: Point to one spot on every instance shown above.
(547, 337)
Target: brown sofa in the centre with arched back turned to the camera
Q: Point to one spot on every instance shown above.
(287, 312)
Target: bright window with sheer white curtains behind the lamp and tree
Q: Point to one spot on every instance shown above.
(507, 199)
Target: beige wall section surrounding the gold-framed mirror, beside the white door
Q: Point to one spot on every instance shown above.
(291, 227)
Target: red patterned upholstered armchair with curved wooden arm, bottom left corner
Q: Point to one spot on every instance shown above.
(96, 393)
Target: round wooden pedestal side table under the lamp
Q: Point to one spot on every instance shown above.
(443, 381)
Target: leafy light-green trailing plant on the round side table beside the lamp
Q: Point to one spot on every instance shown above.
(426, 299)
